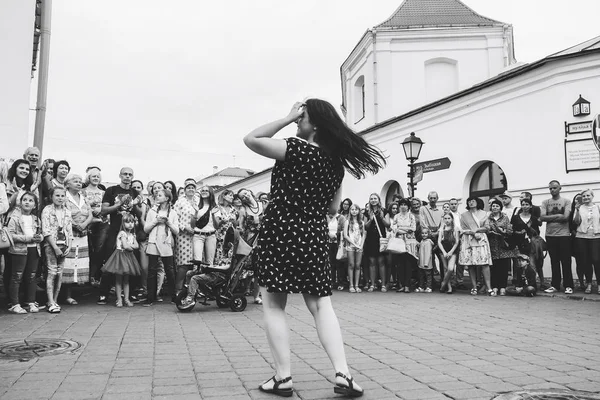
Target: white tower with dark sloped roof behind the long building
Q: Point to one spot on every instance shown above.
(426, 50)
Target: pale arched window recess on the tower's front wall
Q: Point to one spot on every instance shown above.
(441, 78)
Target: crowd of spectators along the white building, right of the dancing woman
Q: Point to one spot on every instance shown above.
(501, 247)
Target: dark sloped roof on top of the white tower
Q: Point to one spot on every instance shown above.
(435, 13)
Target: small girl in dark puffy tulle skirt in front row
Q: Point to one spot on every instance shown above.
(122, 262)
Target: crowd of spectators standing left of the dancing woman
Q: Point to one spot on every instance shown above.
(132, 241)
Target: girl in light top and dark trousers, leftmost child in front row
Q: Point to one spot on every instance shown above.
(24, 229)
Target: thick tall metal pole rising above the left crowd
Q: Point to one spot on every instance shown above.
(40, 115)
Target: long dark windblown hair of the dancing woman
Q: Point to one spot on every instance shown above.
(340, 142)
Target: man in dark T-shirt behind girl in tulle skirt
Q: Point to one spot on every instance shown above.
(116, 201)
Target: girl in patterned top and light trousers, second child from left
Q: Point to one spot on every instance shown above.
(58, 232)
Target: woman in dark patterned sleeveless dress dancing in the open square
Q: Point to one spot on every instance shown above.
(292, 249)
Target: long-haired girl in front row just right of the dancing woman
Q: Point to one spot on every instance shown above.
(354, 237)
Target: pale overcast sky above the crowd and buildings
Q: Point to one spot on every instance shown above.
(170, 88)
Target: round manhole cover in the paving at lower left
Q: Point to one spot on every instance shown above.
(33, 348)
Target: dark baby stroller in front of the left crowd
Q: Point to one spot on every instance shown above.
(231, 292)
